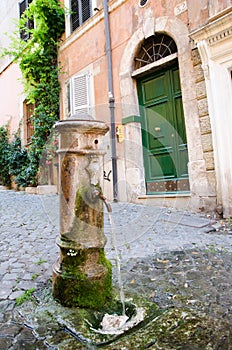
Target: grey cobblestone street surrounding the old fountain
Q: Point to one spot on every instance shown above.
(173, 258)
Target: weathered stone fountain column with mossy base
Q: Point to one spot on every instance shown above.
(82, 276)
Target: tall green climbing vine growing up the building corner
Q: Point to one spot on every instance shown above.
(37, 58)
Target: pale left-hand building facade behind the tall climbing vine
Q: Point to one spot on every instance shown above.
(15, 112)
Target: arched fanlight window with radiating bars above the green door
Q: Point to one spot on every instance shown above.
(155, 48)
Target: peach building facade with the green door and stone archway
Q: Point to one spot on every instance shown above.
(171, 77)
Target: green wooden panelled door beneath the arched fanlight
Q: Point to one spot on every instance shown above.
(163, 133)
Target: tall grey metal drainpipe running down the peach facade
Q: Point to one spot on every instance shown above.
(111, 100)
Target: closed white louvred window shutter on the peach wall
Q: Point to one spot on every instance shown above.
(80, 94)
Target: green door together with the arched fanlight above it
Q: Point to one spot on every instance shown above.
(162, 118)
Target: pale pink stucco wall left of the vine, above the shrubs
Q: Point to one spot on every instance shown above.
(10, 97)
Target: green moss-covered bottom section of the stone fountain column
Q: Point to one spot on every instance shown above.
(84, 286)
